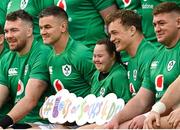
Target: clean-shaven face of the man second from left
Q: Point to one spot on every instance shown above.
(51, 29)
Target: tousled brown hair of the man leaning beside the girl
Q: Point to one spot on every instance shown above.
(126, 17)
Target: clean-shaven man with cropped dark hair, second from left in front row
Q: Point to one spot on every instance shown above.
(70, 63)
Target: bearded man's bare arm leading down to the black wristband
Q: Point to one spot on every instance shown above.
(33, 92)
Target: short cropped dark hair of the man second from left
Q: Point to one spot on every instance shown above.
(54, 11)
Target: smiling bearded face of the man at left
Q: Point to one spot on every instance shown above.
(16, 34)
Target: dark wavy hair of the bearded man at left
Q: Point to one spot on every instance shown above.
(20, 14)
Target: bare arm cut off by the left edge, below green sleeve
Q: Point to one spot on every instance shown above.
(4, 93)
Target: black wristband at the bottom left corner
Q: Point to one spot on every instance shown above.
(6, 121)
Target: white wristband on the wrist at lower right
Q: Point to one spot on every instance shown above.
(159, 107)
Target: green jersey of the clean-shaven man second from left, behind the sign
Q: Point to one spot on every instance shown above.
(72, 69)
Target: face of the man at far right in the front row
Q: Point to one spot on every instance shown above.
(166, 26)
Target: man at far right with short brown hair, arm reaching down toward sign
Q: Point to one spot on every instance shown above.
(163, 68)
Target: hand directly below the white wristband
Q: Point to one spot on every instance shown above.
(152, 118)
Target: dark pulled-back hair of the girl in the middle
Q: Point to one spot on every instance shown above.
(110, 48)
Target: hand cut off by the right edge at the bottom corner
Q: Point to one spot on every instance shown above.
(174, 118)
